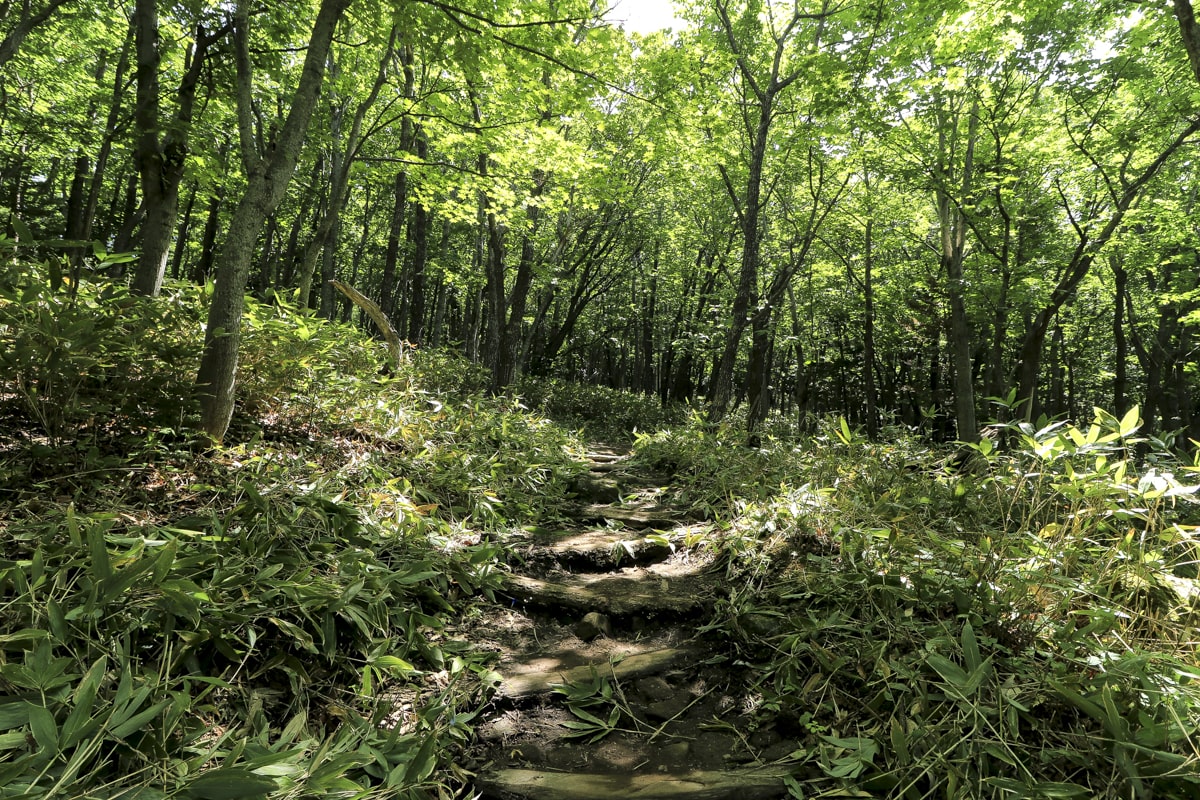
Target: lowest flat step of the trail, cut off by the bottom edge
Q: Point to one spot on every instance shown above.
(717, 785)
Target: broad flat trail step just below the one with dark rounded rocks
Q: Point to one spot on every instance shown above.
(614, 594)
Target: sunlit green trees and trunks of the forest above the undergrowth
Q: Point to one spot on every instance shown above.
(932, 213)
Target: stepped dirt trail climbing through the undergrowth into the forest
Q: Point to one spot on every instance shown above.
(610, 687)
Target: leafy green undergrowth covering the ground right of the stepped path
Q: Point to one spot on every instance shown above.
(1021, 628)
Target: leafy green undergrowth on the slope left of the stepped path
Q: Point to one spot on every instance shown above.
(266, 619)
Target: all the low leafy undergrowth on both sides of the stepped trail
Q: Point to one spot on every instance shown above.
(290, 616)
